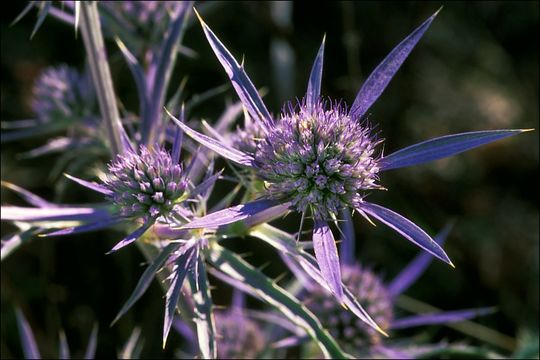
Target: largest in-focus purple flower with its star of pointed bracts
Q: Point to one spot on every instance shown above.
(321, 157)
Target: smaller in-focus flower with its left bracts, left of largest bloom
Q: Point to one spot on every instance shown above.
(144, 187)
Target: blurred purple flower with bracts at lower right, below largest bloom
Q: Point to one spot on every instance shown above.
(378, 298)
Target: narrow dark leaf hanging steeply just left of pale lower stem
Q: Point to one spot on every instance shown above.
(183, 264)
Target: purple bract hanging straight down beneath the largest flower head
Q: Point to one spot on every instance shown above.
(327, 257)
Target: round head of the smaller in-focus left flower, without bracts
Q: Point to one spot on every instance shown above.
(145, 185)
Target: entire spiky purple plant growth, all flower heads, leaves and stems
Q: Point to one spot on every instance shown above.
(318, 157)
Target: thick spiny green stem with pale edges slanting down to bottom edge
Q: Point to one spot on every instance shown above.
(267, 290)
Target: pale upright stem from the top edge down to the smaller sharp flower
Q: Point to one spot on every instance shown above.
(101, 75)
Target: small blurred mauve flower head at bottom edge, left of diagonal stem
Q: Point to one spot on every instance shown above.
(239, 336)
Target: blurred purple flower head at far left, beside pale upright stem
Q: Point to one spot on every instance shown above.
(63, 92)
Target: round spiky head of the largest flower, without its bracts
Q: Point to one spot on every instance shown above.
(318, 157)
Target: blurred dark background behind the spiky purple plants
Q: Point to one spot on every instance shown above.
(475, 69)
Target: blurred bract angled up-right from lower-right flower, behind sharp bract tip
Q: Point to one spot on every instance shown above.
(415, 268)
